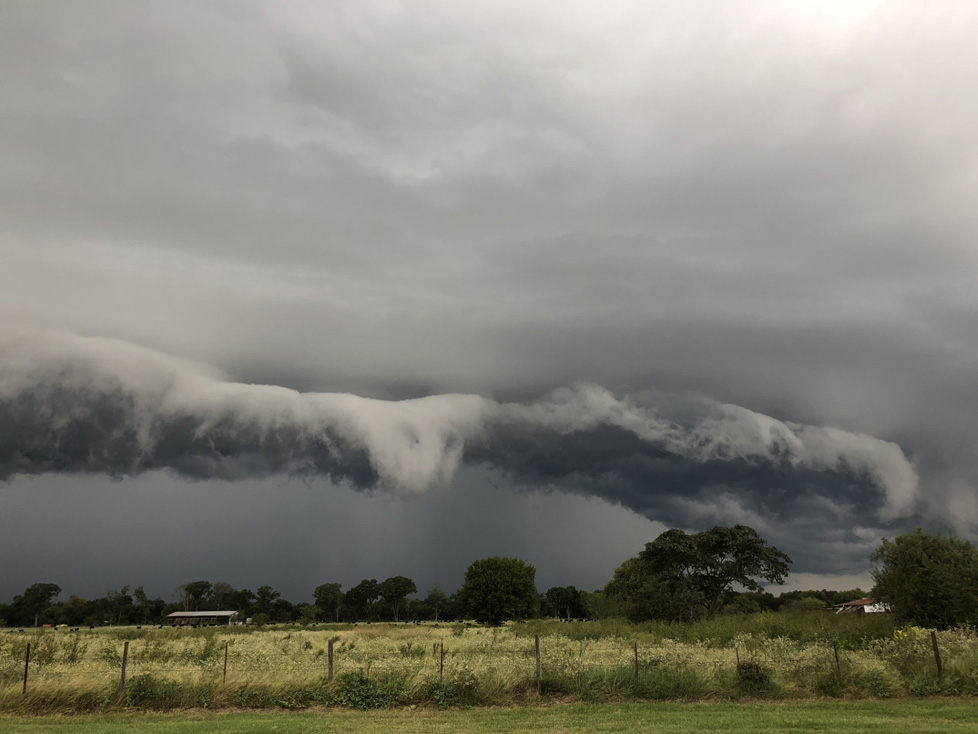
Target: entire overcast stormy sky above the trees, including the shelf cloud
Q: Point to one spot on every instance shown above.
(293, 293)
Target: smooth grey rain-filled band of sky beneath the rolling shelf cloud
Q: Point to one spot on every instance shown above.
(297, 535)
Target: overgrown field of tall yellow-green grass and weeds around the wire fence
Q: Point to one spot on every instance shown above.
(770, 656)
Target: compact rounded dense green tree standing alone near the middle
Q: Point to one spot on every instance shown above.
(498, 589)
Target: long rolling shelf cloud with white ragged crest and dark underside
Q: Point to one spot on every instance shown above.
(77, 405)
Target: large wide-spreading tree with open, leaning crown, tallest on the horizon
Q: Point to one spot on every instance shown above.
(681, 576)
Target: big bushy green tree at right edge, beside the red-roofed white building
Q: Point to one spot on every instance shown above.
(929, 580)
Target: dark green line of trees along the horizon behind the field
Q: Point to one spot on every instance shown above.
(929, 580)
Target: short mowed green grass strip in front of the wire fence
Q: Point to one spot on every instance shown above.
(891, 717)
